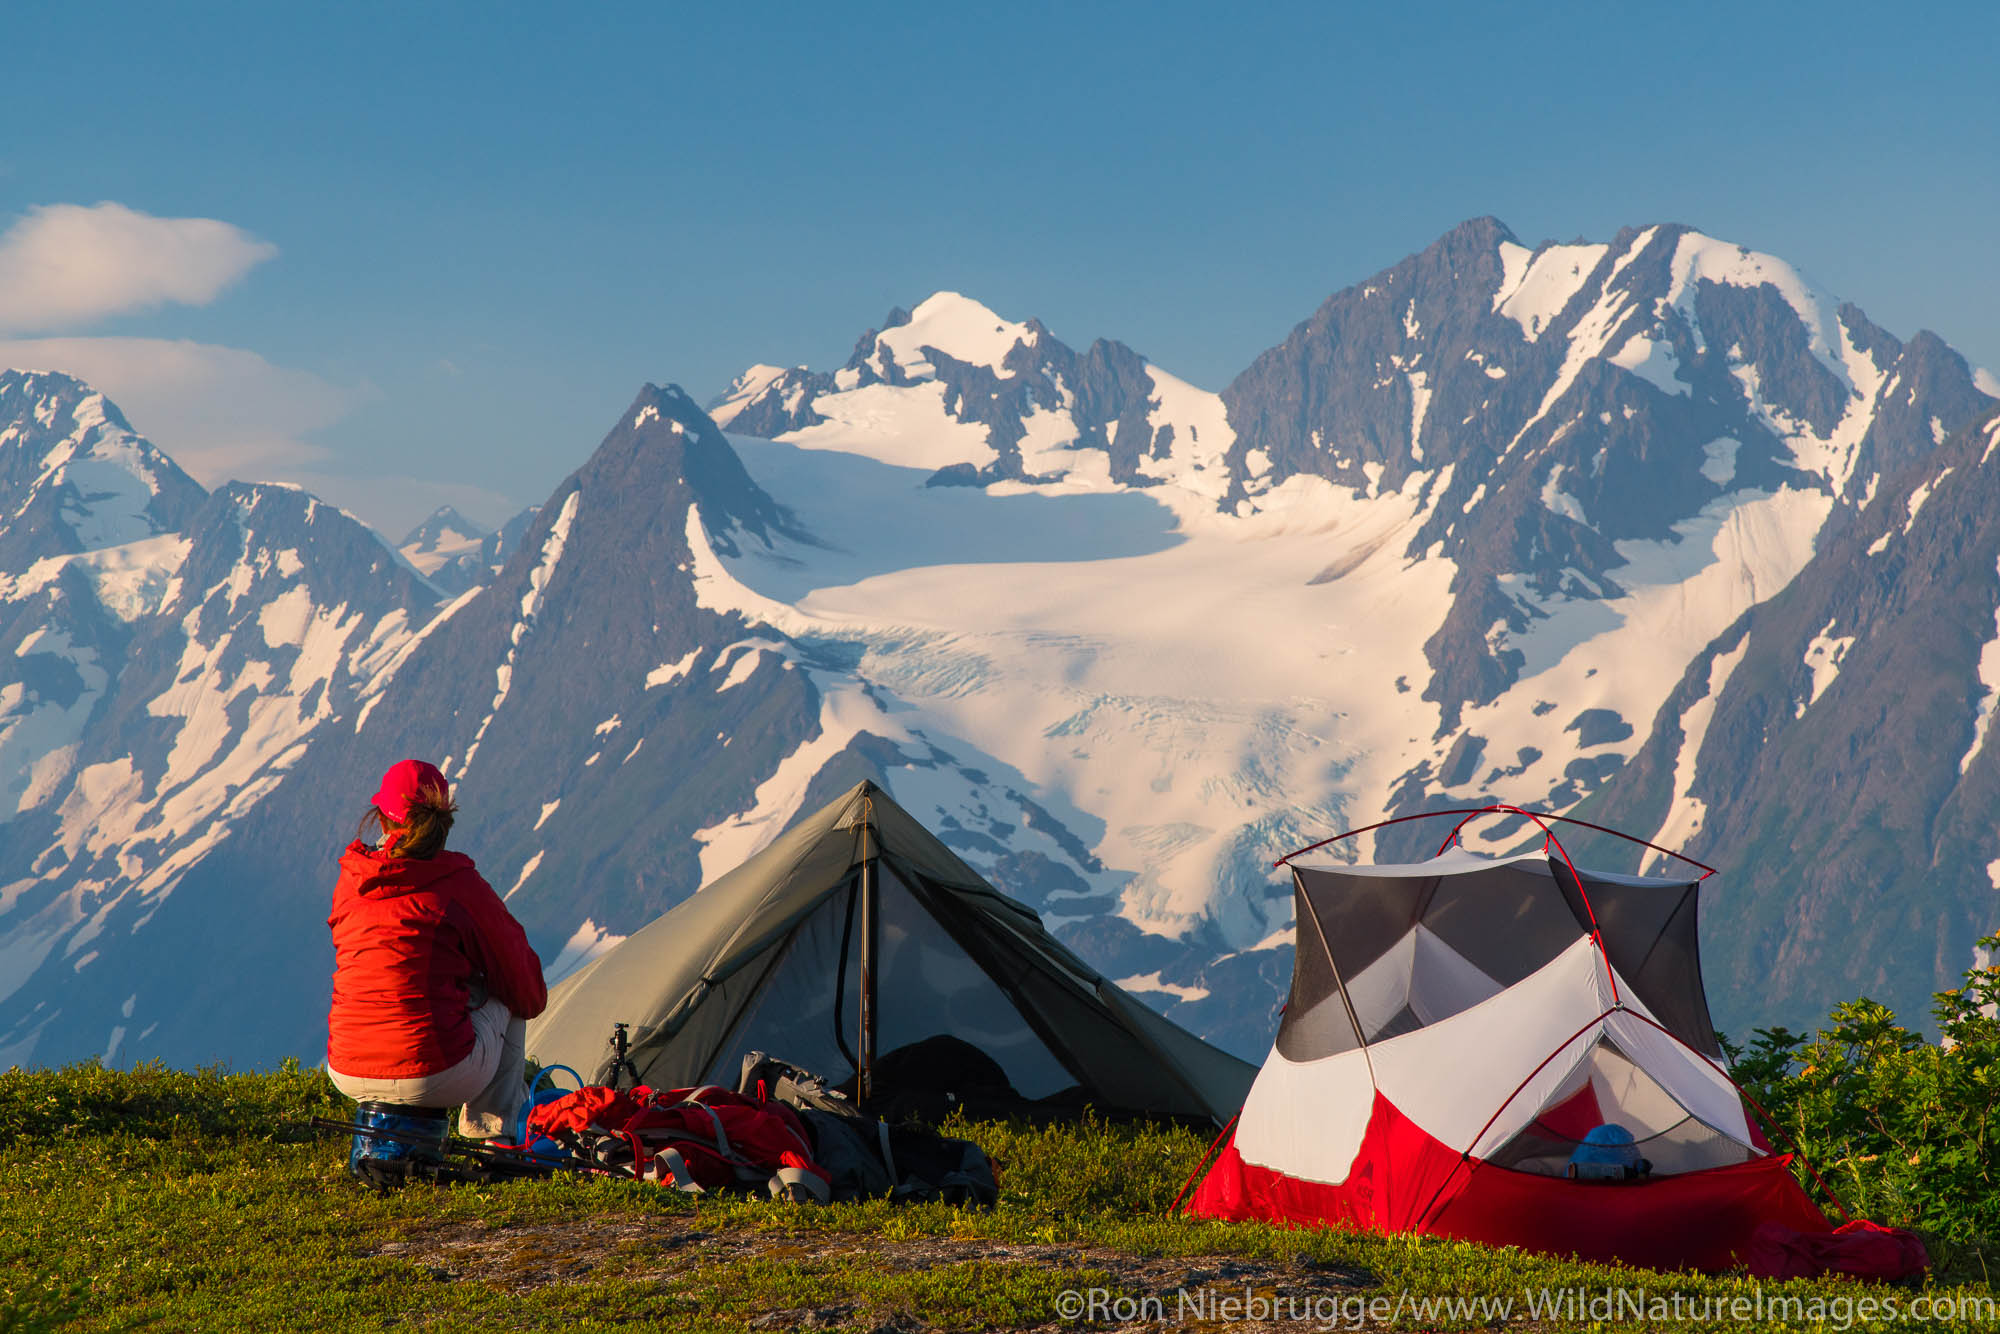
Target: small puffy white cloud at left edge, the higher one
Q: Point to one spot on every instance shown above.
(67, 265)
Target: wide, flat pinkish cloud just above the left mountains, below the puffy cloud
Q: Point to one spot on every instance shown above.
(219, 413)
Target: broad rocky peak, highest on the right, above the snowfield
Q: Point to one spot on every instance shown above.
(1549, 407)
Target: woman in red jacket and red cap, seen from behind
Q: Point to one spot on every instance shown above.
(435, 981)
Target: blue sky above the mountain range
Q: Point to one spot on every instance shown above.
(461, 237)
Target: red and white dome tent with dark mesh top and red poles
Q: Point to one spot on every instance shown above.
(1457, 1029)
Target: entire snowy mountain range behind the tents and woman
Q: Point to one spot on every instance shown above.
(1533, 525)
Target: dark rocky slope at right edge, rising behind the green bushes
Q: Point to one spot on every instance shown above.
(1831, 751)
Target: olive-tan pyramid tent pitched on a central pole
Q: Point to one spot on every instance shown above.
(853, 939)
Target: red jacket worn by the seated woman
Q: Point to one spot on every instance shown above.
(411, 941)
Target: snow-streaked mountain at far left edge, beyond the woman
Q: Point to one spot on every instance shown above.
(163, 659)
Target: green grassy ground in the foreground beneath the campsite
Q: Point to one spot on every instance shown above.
(165, 1201)
